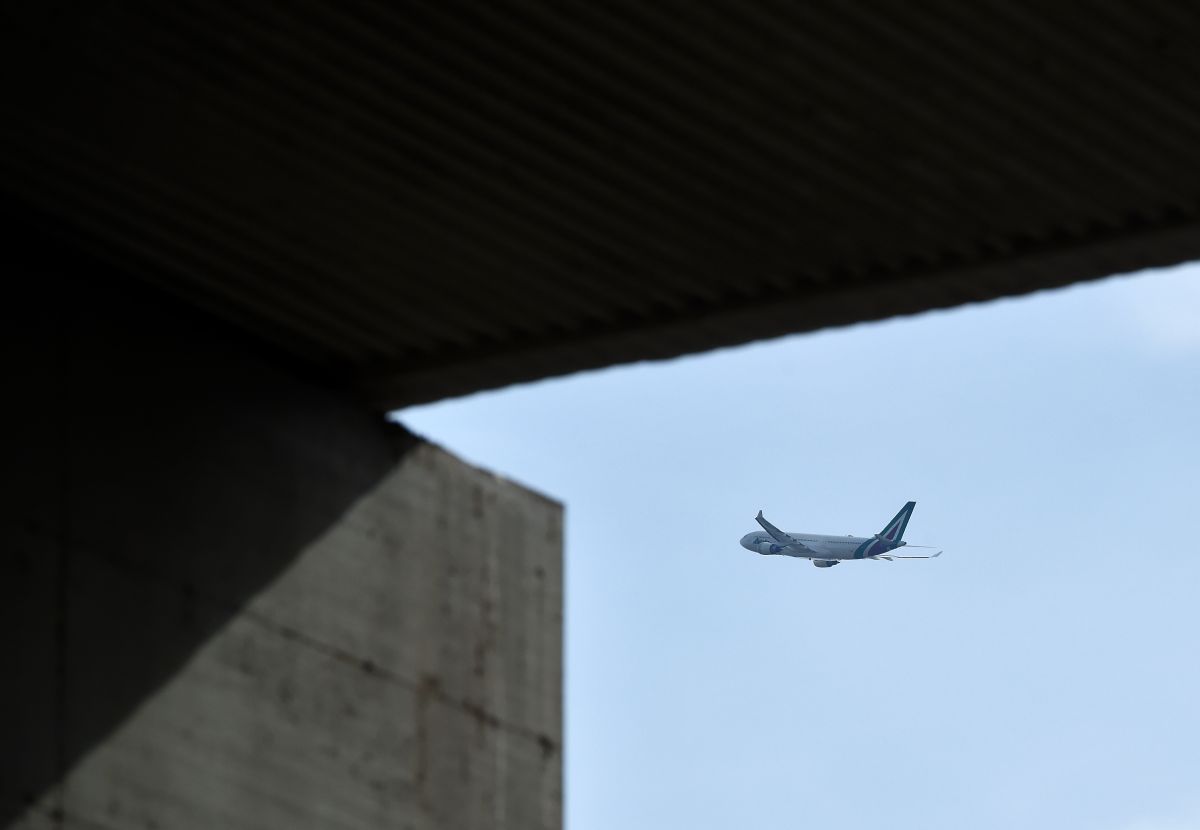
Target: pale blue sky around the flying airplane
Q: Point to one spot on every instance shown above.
(1043, 673)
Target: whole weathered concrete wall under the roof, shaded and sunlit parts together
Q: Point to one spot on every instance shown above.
(233, 598)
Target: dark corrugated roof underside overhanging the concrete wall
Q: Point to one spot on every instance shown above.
(428, 200)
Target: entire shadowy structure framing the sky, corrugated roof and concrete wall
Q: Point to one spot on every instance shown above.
(237, 236)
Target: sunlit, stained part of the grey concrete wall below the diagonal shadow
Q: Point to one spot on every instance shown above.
(404, 672)
